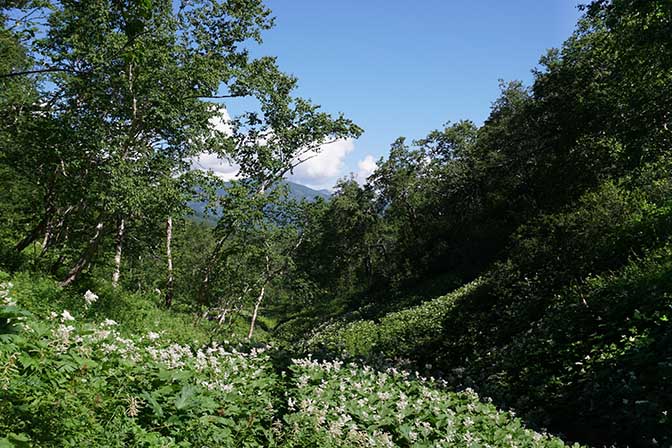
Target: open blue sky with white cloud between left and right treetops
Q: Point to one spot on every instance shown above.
(401, 68)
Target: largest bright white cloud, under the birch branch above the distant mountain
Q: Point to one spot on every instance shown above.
(322, 170)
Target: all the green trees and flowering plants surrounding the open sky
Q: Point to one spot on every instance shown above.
(527, 260)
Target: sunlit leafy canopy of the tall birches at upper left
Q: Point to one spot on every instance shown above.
(125, 88)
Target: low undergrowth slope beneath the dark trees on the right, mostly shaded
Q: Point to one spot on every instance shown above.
(572, 329)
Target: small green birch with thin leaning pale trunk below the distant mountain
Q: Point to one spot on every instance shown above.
(257, 255)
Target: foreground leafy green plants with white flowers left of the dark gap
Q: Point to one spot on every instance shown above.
(67, 383)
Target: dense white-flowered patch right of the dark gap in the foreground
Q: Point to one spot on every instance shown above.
(352, 405)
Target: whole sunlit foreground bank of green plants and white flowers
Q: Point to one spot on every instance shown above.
(67, 380)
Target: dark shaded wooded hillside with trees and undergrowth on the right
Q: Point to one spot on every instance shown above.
(556, 214)
